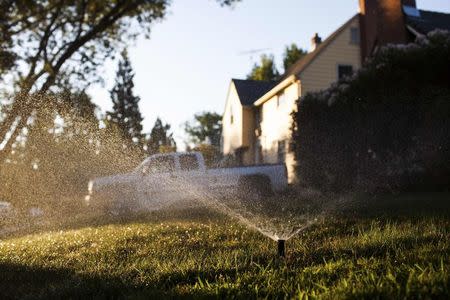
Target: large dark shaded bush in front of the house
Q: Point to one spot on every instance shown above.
(385, 128)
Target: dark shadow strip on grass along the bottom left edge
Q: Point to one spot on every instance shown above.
(27, 282)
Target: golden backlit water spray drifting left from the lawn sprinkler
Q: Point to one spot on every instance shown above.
(52, 163)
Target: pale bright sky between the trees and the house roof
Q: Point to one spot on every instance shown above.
(186, 65)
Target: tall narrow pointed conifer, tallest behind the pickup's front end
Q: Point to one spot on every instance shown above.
(125, 111)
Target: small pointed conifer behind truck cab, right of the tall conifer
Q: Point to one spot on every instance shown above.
(160, 139)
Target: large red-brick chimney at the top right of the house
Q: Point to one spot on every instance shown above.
(382, 22)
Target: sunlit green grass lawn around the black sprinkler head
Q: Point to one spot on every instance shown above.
(347, 256)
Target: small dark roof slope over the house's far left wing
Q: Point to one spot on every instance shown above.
(250, 90)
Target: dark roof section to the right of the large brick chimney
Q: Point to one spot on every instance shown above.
(426, 21)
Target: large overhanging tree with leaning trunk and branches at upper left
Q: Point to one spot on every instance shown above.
(54, 40)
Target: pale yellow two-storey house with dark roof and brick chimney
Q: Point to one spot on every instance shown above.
(257, 118)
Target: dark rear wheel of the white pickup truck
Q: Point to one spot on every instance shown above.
(256, 187)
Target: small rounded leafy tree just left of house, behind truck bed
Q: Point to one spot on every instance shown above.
(205, 128)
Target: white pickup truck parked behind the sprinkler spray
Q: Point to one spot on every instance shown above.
(162, 179)
